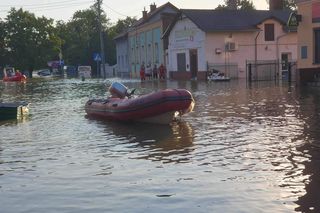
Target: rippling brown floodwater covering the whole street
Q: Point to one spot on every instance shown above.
(244, 148)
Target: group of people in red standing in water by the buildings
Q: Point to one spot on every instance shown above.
(154, 73)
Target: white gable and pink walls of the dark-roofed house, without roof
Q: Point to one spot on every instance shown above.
(250, 45)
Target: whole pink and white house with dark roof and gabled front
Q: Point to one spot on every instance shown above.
(226, 40)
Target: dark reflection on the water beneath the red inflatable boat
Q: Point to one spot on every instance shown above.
(155, 142)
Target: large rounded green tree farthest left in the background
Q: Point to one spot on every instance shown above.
(30, 41)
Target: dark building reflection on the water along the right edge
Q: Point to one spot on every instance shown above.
(310, 108)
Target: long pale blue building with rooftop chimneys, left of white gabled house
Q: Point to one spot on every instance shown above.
(142, 43)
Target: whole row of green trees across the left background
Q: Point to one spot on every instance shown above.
(28, 42)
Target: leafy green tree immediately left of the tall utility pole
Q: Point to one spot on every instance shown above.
(80, 37)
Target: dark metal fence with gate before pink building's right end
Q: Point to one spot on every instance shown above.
(271, 70)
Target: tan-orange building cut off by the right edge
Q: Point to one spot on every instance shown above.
(309, 41)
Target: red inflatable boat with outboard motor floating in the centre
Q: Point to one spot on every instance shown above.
(157, 107)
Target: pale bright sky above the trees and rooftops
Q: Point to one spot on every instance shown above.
(115, 9)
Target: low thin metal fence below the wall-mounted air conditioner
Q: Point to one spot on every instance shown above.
(229, 69)
